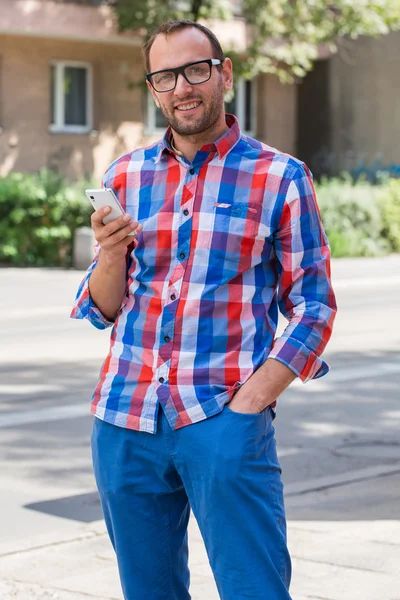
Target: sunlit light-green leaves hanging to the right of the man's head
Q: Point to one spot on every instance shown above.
(287, 35)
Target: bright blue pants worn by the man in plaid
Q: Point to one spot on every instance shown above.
(226, 470)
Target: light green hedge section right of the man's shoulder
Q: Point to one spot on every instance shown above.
(360, 219)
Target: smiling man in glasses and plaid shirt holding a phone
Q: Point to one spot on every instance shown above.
(226, 228)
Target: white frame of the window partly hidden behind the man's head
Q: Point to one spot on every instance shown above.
(149, 126)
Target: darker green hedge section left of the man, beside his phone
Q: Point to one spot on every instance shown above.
(38, 216)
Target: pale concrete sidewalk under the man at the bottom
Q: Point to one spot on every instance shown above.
(354, 558)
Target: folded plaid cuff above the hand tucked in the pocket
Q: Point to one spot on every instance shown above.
(300, 359)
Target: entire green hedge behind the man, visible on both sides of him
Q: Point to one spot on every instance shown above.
(39, 214)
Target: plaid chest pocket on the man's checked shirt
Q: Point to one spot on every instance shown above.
(234, 229)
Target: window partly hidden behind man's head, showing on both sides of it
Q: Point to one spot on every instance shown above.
(242, 105)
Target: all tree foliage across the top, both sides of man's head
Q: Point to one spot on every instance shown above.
(286, 34)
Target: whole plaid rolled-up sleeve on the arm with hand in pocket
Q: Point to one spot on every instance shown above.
(305, 294)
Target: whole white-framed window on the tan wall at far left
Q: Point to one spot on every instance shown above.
(71, 97)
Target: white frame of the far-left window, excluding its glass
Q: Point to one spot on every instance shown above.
(59, 125)
